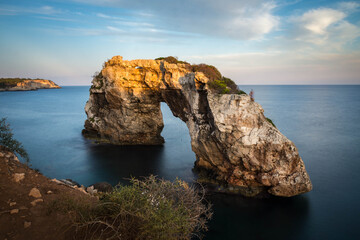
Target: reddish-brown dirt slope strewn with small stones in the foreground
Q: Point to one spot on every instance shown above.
(25, 202)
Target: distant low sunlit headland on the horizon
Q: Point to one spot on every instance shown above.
(24, 84)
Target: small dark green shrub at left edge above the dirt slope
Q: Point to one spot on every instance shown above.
(7, 140)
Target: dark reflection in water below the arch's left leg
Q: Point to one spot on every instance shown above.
(114, 163)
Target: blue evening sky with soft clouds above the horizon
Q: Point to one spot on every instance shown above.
(252, 42)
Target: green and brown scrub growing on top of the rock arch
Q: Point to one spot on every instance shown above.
(217, 82)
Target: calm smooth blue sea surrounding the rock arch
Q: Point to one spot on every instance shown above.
(322, 121)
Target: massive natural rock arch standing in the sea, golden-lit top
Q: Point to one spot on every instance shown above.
(235, 145)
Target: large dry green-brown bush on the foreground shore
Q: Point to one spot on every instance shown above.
(147, 209)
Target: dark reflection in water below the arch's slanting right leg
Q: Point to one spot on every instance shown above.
(237, 217)
